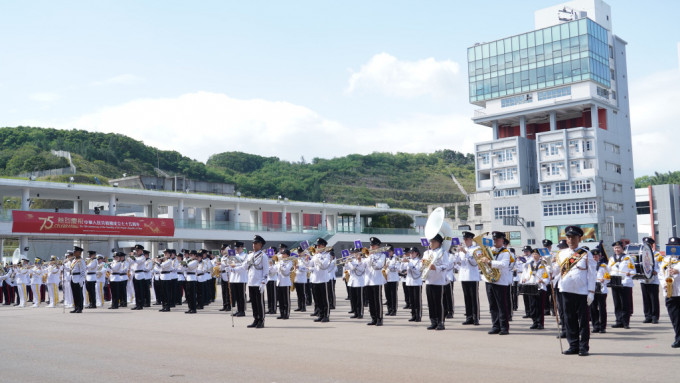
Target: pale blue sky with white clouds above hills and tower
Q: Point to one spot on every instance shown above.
(303, 78)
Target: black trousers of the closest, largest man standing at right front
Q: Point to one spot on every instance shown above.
(577, 317)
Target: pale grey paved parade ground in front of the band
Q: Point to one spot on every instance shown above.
(100, 345)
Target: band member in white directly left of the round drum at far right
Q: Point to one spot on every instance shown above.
(622, 265)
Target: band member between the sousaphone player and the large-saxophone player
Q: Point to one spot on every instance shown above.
(468, 274)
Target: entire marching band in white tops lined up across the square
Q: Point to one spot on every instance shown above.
(578, 278)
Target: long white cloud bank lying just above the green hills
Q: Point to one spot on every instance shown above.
(201, 124)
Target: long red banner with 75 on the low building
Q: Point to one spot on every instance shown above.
(62, 223)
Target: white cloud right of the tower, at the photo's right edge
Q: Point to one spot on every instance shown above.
(654, 122)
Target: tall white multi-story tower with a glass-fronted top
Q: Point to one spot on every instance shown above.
(557, 101)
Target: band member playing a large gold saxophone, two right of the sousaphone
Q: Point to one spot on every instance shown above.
(498, 293)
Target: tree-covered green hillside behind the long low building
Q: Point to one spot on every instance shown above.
(401, 180)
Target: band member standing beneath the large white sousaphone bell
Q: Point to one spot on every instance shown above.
(436, 280)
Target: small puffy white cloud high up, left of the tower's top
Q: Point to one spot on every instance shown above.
(386, 74)
